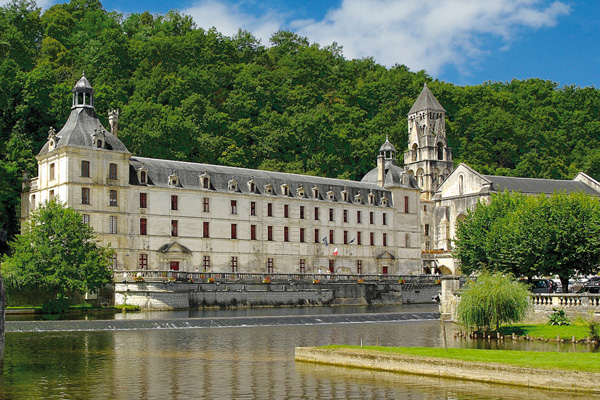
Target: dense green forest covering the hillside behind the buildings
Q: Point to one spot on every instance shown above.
(193, 94)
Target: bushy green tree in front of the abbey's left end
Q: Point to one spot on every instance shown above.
(55, 257)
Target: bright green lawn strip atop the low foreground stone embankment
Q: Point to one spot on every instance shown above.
(586, 362)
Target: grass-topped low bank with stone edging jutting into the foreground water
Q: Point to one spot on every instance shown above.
(573, 372)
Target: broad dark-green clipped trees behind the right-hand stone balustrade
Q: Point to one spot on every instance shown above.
(528, 236)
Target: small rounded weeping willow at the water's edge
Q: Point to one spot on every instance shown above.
(492, 300)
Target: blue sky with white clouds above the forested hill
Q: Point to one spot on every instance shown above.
(460, 41)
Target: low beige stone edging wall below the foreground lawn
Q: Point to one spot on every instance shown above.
(438, 367)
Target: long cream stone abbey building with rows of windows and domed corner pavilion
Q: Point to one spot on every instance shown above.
(161, 214)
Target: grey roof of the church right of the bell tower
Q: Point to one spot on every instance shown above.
(535, 185)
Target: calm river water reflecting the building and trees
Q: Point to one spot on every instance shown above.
(228, 363)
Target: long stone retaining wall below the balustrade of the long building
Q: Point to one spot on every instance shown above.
(180, 295)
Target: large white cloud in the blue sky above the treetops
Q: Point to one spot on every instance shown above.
(428, 34)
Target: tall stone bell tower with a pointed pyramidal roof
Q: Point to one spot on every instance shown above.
(428, 157)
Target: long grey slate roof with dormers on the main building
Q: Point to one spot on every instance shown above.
(158, 172)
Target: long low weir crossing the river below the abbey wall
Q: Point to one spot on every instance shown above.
(217, 322)
